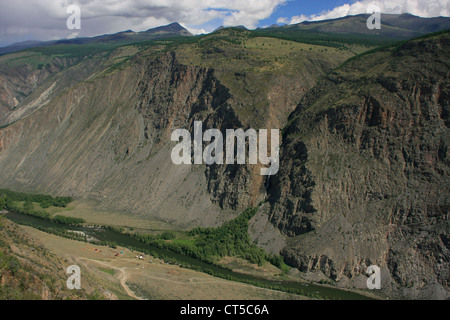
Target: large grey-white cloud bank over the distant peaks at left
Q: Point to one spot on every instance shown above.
(46, 19)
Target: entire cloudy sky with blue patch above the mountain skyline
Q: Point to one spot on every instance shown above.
(22, 20)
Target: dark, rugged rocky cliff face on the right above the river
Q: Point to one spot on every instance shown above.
(364, 173)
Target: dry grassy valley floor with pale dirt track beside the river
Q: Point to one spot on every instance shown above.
(142, 279)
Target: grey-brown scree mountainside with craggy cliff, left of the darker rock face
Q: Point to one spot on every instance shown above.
(104, 124)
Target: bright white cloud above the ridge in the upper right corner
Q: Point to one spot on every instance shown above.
(422, 8)
